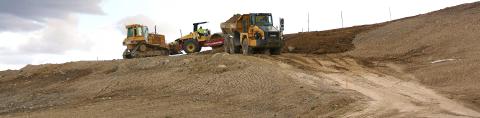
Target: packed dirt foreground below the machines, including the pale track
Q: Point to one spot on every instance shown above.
(219, 85)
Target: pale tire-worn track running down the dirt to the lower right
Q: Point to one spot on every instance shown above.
(390, 96)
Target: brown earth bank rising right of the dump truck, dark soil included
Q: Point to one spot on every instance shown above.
(438, 49)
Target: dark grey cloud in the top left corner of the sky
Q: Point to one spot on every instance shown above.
(28, 15)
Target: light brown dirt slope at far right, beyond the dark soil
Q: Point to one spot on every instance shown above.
(440, 49)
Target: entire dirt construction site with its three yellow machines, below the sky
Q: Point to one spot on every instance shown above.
(420, 66)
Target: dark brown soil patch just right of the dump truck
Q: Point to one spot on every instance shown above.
(321, 42)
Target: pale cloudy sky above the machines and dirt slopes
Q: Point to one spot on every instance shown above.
(58, 31)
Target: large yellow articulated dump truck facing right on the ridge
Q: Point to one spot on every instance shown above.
(252, 33)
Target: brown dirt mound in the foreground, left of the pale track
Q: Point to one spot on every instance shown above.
(201, 85)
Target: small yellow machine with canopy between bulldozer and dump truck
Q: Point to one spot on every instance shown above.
(195, 40)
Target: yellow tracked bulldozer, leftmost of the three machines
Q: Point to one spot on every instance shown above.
(141, 43)
